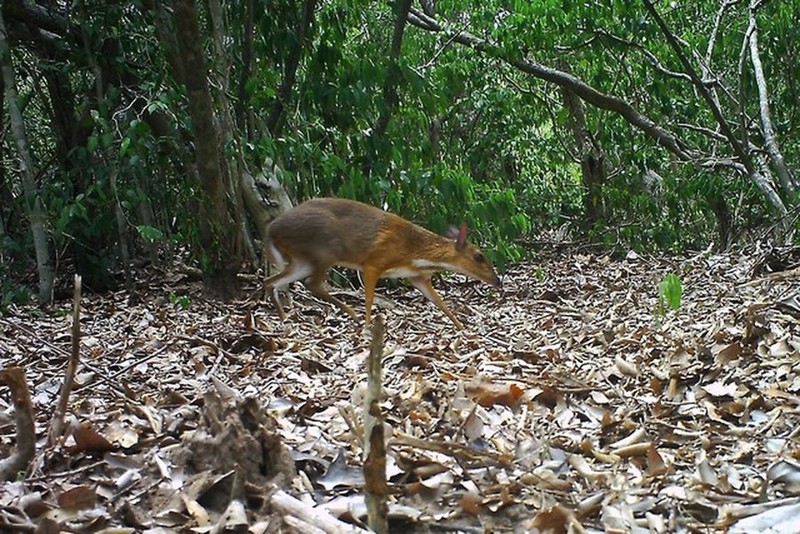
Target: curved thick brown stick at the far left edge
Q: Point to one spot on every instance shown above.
(14, 378)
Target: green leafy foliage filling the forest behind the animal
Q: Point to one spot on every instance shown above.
(472, 139)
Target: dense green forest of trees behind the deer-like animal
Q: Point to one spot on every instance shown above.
(133, 130)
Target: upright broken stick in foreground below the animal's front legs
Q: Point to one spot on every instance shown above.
(374, 441)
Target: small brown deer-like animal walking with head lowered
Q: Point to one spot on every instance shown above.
(323, 232)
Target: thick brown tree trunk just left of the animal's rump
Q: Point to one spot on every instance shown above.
(220, 242)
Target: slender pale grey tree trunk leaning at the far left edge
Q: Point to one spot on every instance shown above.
(33, 201)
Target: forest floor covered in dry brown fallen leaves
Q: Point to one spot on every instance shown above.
(568, 403)
